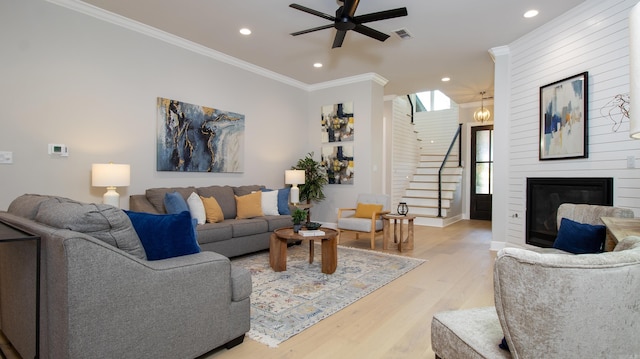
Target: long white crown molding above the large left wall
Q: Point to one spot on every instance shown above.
(118, 20)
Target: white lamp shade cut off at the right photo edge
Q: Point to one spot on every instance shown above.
(634, 72)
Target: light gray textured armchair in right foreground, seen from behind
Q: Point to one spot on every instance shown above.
(551, 305)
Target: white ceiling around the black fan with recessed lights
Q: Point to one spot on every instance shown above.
(450, 38)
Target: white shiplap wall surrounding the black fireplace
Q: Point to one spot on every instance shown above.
(592, 37)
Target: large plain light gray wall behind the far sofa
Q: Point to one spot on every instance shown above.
(74, 79)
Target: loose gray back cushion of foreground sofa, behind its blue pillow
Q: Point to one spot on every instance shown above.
(104, 222)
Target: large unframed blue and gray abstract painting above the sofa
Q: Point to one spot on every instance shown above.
(193, 138)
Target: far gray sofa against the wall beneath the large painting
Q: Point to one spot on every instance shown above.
(231, 237)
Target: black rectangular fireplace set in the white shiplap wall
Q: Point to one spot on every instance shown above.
(544, 196)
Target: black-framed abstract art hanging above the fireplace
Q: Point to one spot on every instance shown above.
(563, 118)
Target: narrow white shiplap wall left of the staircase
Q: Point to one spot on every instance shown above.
(405, 149)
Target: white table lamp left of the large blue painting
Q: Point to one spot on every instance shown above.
(111, 176)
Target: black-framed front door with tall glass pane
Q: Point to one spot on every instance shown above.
(481, 191)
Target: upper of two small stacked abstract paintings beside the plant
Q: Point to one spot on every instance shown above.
(337, 122)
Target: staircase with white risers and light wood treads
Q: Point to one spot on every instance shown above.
(422, 194)
